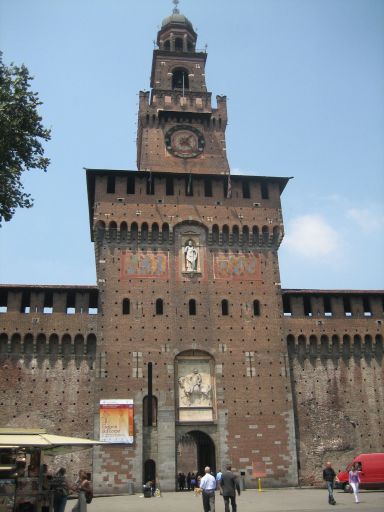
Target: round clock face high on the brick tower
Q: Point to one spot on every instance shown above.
(184, 141)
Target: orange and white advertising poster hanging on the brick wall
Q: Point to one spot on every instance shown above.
(116, 421)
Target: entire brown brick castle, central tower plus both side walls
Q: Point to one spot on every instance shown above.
(188, 326)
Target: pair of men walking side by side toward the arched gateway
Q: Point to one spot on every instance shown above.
(227, 484)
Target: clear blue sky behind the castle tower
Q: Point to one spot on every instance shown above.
(304, 80)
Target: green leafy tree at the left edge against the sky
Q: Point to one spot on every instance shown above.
(21, 136)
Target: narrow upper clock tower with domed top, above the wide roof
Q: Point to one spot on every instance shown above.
(178, 130)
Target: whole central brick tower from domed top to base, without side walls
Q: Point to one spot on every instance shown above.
(190, 325)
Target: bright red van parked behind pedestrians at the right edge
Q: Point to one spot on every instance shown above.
(371, 466)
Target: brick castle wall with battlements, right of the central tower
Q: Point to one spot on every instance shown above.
(337, 376)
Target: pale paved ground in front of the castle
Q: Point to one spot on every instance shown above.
(281, 500)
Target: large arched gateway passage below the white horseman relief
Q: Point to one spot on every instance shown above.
(195, 450)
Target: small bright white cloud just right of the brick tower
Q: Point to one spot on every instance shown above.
(312, 237)
